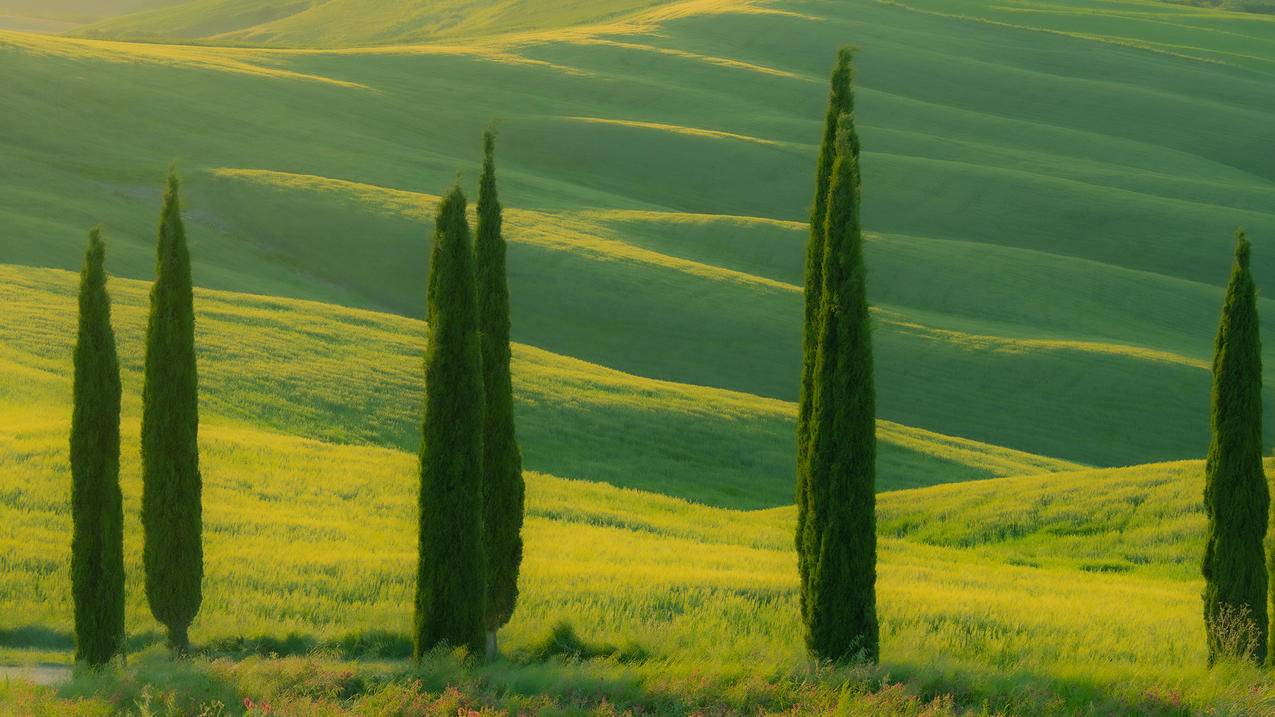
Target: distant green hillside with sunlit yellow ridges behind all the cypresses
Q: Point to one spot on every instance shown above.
(1053, 191)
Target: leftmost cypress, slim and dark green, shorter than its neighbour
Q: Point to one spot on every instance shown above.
(98, 506)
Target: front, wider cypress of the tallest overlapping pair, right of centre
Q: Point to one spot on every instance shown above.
(841, 525)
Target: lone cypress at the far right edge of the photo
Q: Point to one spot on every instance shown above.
(1236, 496)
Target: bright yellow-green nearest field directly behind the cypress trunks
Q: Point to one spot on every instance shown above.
(1009, 593)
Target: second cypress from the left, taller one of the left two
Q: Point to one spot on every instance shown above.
(171, 511)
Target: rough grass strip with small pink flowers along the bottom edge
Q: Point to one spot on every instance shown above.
(451, 684)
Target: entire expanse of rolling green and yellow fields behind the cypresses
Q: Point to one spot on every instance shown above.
(1050, 196)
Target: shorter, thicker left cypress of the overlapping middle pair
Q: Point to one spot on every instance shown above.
(451, 588)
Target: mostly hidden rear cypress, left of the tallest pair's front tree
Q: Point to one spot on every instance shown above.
(841, 101)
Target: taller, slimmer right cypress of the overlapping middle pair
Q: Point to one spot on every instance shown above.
(503, 465)
